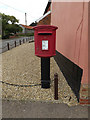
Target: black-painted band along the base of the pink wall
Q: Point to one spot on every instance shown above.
(71, 72)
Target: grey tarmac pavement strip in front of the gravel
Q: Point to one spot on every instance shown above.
(20, 109)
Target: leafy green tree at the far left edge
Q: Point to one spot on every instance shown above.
(9, 25)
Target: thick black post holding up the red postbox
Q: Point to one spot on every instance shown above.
(45, 72)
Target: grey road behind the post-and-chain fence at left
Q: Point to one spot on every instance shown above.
(3, 43)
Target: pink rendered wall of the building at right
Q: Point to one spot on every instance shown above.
(71, 18)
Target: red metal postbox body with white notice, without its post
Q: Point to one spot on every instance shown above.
(45, 40)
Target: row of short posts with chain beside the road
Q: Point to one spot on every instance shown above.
(11, 44)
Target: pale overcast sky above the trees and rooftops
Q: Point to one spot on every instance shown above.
(18, 8)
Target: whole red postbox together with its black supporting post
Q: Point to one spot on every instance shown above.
(45, 47)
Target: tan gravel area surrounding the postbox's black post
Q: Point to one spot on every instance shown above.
(20, 66)
